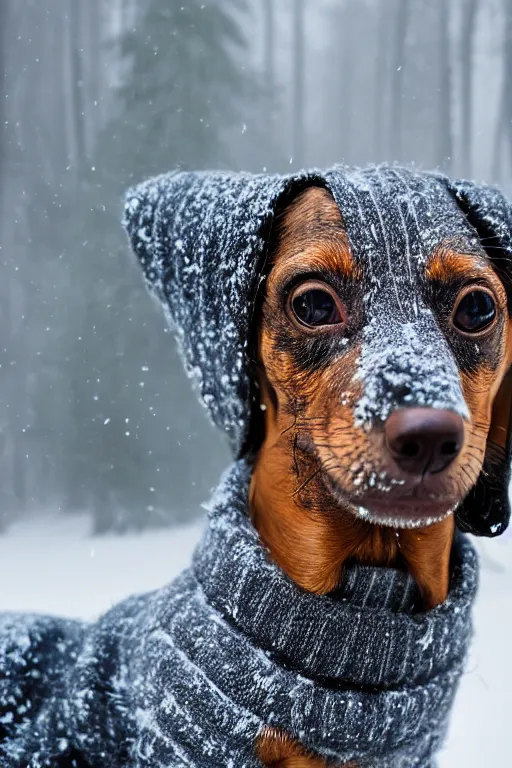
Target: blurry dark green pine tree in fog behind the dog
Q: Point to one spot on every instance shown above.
(133, 447)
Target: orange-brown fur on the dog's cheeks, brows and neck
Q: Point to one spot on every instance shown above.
(307, 532)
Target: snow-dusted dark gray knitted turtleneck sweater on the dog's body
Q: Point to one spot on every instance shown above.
(190, 674)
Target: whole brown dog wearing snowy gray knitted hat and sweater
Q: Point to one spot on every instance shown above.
(349, 331)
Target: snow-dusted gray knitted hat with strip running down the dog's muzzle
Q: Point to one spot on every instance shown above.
(202, 240)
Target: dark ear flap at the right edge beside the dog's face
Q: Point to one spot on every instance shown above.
(486, 510)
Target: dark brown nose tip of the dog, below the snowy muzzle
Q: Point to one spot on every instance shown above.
(423, 440)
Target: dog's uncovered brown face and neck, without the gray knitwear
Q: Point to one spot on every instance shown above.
(313, 498)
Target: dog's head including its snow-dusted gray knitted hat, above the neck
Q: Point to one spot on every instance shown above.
(384, 336)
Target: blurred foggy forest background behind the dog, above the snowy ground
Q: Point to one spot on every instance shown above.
(95, 412)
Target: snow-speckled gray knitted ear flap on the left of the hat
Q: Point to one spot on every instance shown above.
(201, 239)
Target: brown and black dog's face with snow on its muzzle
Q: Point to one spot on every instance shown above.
(382, 366)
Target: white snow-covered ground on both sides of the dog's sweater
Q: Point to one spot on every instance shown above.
(55, 566)
